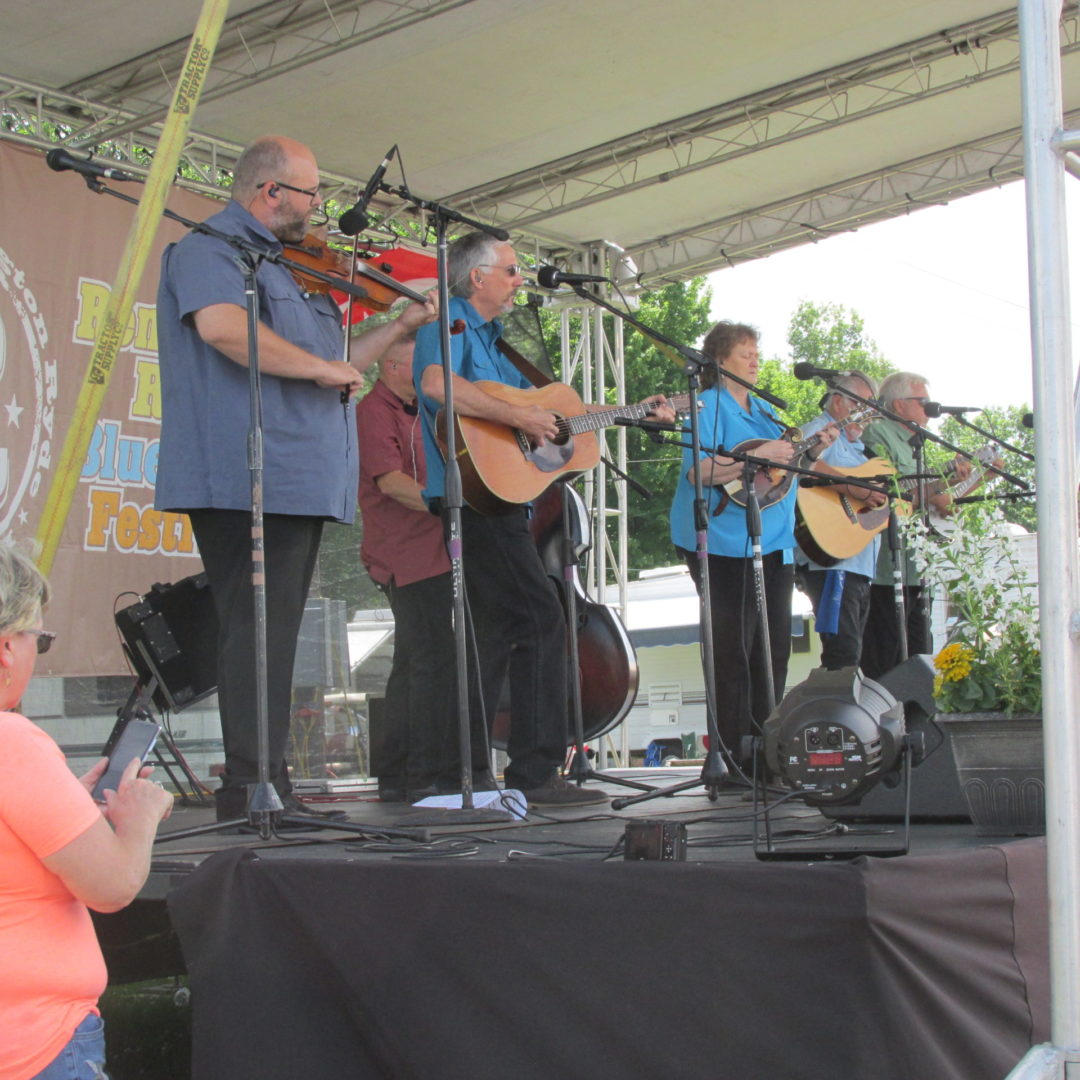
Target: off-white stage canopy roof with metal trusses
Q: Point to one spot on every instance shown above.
(695, 136)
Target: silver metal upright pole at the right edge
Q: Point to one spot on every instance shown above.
(1046, 144)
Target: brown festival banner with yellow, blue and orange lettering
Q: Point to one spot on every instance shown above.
(60, 248)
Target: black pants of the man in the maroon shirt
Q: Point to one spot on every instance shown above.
(422, 692)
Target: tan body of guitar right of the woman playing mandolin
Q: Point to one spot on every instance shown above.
(831, 528)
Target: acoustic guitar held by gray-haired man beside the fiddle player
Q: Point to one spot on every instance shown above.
(501, 467)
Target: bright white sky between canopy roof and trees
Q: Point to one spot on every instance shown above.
(942, 292)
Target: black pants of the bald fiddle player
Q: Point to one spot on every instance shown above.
(291, 548)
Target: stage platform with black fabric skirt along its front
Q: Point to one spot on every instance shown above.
(534, 950)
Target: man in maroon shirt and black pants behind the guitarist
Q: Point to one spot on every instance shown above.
(404, 551)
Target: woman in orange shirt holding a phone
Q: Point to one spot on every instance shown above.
(60, 854)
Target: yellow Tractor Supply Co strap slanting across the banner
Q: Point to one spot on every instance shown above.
(132, 264)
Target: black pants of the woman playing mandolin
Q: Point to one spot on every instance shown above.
(742, 699)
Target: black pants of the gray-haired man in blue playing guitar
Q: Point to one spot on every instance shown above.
(521, 631)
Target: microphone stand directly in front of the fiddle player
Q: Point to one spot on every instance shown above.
(265, 809)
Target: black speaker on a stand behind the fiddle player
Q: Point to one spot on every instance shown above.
(171, 636)
